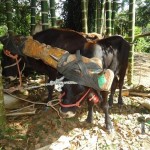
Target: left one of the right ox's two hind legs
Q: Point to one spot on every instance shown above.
(113, 88)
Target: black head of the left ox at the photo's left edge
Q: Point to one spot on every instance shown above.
(9, 65)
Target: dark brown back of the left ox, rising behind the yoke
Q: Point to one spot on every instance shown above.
(68, 40)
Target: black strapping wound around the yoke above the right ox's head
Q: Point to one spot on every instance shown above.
(77, 71)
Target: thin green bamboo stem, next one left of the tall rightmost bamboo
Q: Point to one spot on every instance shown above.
(113, 15)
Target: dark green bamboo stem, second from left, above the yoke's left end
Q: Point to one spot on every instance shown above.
(33, 8)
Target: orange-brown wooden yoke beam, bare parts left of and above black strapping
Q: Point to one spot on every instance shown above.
(44, 52)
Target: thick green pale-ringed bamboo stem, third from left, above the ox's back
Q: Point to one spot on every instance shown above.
(44, 11)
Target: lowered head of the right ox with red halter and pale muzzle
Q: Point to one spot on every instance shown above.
(73, 96)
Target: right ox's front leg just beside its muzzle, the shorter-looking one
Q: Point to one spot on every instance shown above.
(89, 118)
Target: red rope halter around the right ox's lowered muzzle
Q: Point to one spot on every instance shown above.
(77, 104)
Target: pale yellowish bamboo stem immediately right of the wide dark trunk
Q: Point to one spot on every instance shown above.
(84, 16)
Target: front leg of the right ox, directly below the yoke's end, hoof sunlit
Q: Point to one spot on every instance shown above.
(105, 107)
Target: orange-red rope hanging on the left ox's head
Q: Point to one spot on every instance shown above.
(7, 53)
